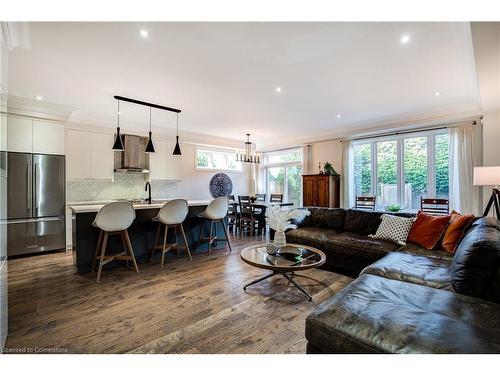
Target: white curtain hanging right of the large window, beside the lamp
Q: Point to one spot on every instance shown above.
(464, 155)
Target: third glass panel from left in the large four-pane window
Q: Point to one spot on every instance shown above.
(415, 171)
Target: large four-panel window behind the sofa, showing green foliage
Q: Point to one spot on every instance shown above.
(403, 169)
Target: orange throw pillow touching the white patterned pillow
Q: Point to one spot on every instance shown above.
(427, 230)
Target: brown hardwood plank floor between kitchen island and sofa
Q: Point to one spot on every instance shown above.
(188, 307)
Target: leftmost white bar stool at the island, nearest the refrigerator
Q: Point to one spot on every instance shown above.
(114, 219)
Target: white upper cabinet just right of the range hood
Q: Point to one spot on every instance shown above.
(162, 164)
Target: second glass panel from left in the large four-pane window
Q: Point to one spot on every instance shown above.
(387, 173)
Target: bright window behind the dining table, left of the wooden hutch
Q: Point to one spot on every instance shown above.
(283, 173)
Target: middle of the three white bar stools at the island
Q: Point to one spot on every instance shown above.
(171, 215)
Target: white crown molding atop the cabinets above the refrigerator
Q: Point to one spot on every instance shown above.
(21, 106)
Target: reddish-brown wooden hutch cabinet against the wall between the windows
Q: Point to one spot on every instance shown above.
(321, 190)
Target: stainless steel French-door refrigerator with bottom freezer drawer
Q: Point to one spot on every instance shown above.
(35, 203)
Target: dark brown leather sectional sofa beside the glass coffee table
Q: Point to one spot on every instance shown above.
(406, 299)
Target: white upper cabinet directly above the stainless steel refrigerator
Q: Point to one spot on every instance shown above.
(34, 136)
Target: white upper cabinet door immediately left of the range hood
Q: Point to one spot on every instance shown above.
(102, 156)
